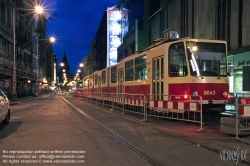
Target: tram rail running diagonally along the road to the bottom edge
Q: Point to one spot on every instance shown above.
(116, 136)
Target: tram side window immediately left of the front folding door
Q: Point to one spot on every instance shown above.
(140, 68)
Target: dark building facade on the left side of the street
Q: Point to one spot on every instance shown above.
(30, 38)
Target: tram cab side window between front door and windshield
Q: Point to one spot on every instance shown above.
(177, 60)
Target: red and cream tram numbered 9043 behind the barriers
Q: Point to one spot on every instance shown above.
(170, 69)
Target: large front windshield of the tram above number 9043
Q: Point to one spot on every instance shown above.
(207, 59)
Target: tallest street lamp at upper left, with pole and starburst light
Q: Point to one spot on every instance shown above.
(38, 10)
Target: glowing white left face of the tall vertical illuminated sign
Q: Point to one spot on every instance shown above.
(114, 34)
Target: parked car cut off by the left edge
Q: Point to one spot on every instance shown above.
(4, 108)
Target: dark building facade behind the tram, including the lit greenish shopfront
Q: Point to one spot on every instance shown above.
(213, 19)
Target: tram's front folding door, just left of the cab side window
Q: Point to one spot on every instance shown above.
(158, 73)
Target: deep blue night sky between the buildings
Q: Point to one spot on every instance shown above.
(74, 23)
